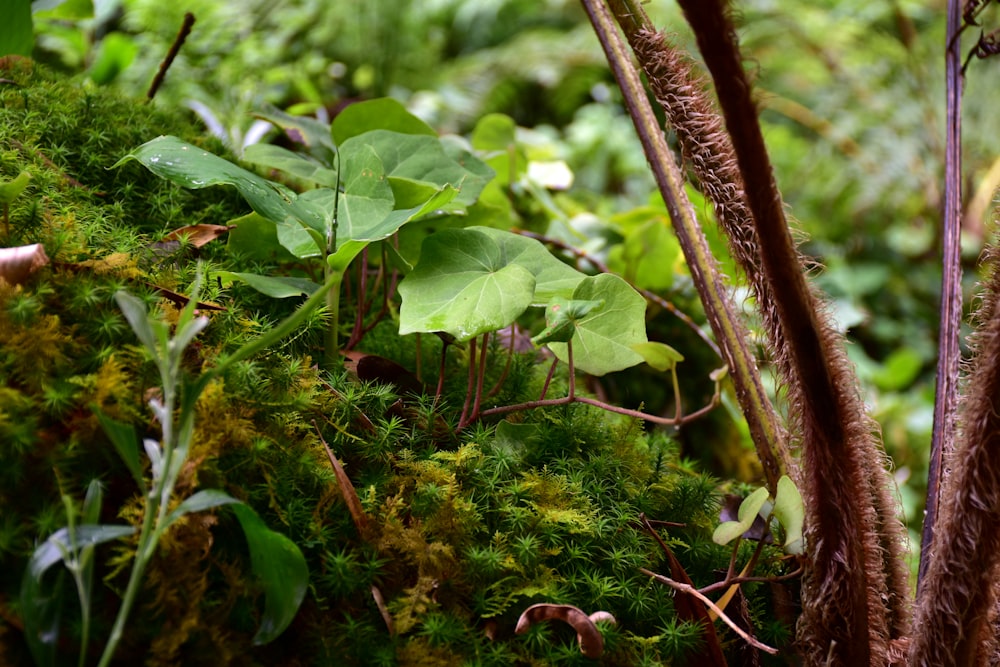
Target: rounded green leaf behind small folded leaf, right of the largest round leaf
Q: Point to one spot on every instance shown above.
(604, 338)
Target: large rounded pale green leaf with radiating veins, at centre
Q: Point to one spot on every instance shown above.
(463, 285)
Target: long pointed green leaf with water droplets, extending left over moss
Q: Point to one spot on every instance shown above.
(180, 162)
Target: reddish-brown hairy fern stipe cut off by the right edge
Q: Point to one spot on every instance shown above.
(956, 597)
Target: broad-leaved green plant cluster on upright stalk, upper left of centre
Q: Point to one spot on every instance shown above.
(388, 178)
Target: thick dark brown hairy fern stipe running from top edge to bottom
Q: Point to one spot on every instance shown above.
(855, 592)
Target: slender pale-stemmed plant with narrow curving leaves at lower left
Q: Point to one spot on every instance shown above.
(276, 560)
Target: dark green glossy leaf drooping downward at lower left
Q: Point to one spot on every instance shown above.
(281, 569)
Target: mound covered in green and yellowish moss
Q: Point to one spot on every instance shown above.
(465, 530)
